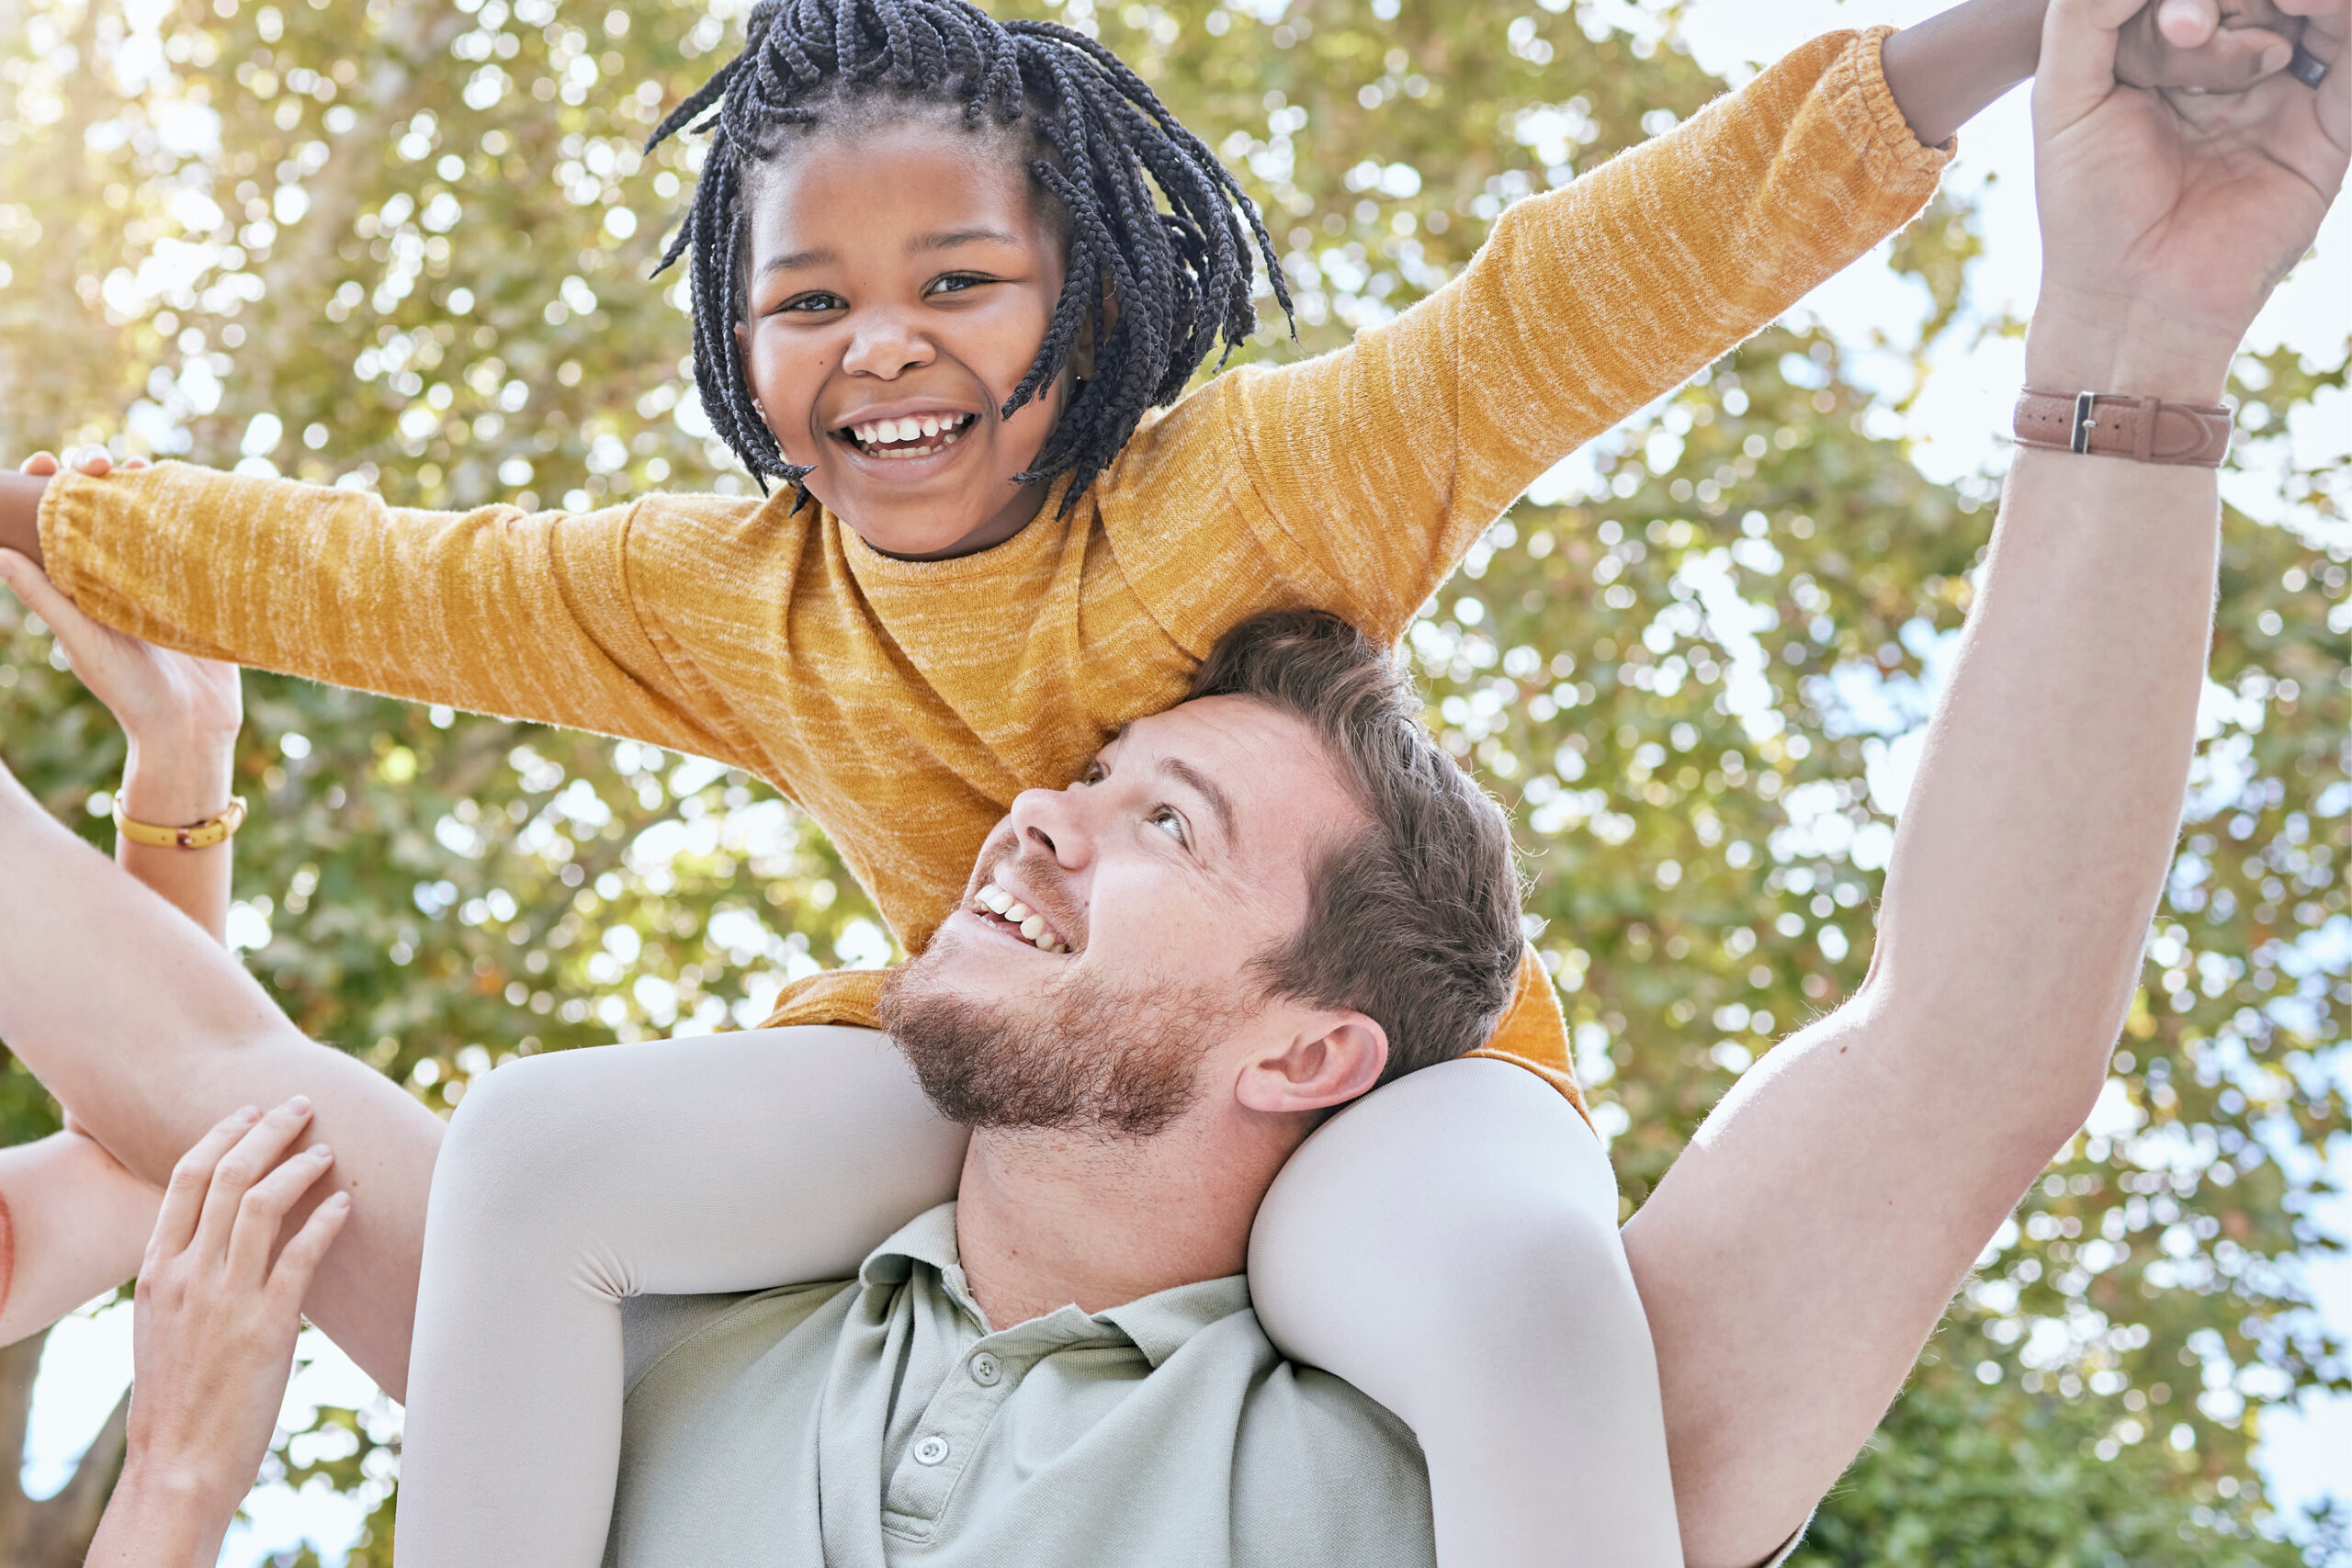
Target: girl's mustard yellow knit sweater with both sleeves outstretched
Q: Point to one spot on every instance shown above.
(904, 704)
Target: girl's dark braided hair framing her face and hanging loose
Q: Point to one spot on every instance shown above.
(1175, 281)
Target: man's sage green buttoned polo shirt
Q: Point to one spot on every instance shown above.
(883, 1423)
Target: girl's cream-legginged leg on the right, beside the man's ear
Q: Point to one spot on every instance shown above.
(1450, 1245)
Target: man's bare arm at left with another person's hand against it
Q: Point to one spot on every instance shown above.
(152, 1033)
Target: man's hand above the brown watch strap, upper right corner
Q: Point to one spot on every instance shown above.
(2170, 217)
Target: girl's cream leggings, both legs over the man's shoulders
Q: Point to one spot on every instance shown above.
(1448, 1245)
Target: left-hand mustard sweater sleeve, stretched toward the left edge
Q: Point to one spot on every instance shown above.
(521, 615)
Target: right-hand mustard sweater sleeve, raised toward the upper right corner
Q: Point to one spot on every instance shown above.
(1377, 467)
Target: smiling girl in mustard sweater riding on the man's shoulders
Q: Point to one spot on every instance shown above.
(935, 295)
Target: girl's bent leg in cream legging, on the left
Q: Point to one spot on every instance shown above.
(575, 1181)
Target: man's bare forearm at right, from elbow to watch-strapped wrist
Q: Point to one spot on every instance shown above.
(2036, 838)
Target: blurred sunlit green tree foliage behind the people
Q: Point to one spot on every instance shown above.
(406, 246)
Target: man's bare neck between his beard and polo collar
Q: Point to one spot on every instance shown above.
(1055, 1219)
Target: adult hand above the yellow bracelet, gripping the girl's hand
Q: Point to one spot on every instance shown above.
(166, 702)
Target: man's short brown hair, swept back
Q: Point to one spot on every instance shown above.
(1412, 920)
